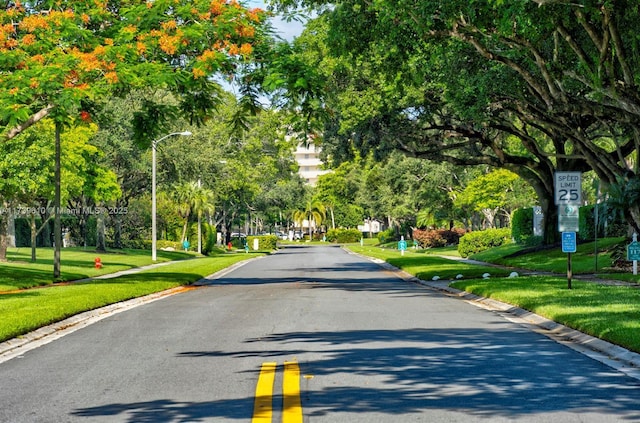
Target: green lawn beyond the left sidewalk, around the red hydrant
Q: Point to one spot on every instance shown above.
(19, 272)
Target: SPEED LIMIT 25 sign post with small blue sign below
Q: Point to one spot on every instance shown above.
(568, 197)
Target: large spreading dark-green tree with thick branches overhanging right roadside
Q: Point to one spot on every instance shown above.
(530, 87)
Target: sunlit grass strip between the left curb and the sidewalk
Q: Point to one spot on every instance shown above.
(30, 309)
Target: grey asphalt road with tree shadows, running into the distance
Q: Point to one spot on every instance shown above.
(370, 347)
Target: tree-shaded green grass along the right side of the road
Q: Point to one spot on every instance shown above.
(611, 313)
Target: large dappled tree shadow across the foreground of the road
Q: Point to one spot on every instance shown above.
(457, 369)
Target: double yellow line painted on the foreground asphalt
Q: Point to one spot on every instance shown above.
(291, 405)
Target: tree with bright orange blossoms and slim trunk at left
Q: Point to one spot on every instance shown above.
(58, 56)
